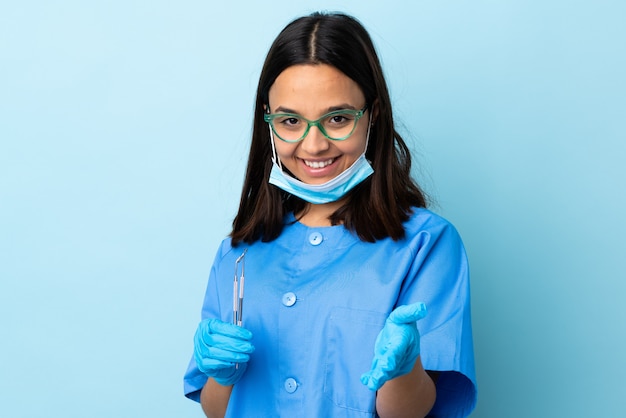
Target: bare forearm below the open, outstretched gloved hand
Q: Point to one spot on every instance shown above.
(411, 395)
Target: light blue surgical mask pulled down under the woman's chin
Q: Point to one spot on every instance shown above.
(330, 191)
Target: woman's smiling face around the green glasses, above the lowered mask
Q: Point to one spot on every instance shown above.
(313, 91)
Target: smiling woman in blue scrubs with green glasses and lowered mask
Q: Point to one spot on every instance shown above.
(341, 256)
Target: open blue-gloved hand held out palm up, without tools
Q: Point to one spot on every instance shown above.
(397, 346)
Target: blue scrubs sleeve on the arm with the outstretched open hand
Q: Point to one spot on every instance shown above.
(439, 276)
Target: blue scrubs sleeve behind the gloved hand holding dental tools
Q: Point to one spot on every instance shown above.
(194, 380)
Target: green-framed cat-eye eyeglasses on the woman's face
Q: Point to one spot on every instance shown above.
(337, 125)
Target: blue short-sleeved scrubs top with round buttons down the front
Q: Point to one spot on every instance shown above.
(315, 300)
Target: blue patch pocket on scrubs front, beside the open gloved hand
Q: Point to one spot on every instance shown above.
(350, 350)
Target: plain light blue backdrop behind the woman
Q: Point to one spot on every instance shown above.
(124, 128)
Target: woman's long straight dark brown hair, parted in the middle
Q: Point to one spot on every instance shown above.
(377, 207)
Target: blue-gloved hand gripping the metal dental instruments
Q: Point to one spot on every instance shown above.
(221, 350)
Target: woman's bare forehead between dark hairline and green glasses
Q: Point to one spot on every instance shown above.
(314, 88)
